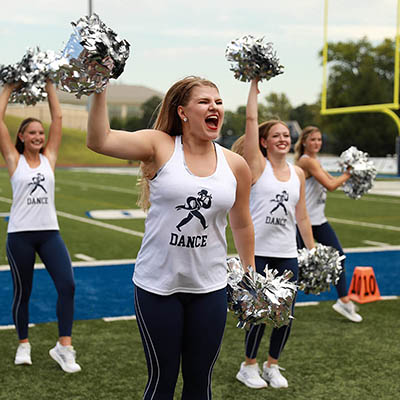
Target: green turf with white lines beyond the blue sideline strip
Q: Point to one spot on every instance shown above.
(79, 192)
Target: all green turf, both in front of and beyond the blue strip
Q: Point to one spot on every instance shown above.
(327, 357)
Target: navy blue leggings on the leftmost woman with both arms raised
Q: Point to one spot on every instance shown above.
(21, 250)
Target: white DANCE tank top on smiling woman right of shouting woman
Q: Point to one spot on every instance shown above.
(272, 208)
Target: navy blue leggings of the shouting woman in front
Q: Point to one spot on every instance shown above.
(180, 327)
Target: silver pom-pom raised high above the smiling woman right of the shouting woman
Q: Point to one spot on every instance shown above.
(252, 58)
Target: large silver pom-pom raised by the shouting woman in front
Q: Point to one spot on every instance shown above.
(95, 54)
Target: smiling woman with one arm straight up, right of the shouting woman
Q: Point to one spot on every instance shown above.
(277, 201)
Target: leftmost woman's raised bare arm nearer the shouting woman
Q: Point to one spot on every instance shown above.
(55, 131)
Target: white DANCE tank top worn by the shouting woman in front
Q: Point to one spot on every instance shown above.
(184, 245)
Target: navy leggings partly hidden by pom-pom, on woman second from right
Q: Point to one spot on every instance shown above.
(279, 336)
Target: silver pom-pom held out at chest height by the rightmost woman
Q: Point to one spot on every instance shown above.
(362, 170)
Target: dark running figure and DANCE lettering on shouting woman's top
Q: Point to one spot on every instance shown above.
(193, 206)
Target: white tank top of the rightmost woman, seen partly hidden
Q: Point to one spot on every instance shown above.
(315, 200)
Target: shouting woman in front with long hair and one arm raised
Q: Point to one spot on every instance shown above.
(180, 274)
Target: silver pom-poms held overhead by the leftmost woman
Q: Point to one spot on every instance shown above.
(32, 72)
